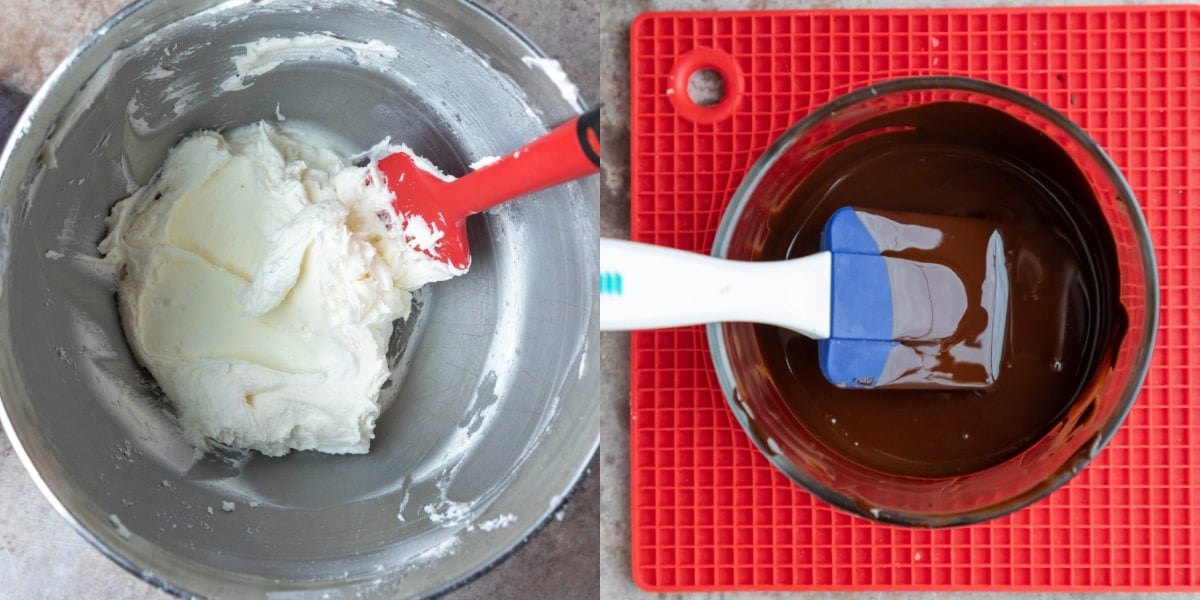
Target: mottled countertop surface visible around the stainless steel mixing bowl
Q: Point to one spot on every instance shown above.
(43, 557)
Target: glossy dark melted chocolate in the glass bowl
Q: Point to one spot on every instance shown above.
(965, 161)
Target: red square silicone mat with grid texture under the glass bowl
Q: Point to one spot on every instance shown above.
(709, 512)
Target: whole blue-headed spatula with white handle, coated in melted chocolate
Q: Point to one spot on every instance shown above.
(896, 301)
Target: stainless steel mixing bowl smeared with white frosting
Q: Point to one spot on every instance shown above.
(495, 416)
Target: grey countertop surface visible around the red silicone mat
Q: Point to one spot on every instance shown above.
(616, 579)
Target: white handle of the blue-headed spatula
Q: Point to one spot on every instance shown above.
(650, 287)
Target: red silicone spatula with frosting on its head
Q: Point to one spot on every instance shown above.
(571, 152)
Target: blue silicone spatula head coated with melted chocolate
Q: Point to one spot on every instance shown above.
(917, 301)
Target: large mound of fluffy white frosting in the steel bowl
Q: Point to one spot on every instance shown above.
(260, 284)
